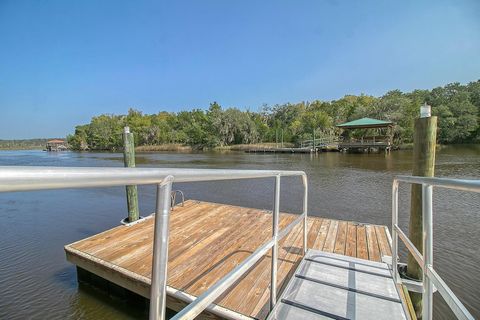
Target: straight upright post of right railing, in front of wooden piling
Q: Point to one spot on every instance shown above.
(427, 225)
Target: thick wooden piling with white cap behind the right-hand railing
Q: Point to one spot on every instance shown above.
(423, 165)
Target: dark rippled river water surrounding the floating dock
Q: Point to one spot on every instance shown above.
(37, 283)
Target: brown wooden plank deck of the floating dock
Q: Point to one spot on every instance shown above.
(207, 240)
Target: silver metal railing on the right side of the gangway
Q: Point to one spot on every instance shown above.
(425, 260)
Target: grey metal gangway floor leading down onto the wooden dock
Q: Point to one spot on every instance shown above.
(332, 286)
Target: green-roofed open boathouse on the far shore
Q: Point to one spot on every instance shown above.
(367, 135)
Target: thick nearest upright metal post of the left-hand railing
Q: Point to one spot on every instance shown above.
(158, 285)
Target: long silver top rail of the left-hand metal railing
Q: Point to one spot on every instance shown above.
(18, 178)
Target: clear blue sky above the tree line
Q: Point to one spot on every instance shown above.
(62, 62)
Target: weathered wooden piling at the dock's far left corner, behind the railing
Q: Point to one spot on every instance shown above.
(129, 160)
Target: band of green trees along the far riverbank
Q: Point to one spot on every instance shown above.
(456, 105)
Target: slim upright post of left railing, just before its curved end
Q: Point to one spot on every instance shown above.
(275, 217)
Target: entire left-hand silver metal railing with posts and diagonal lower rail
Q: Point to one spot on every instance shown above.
(42, 178)
